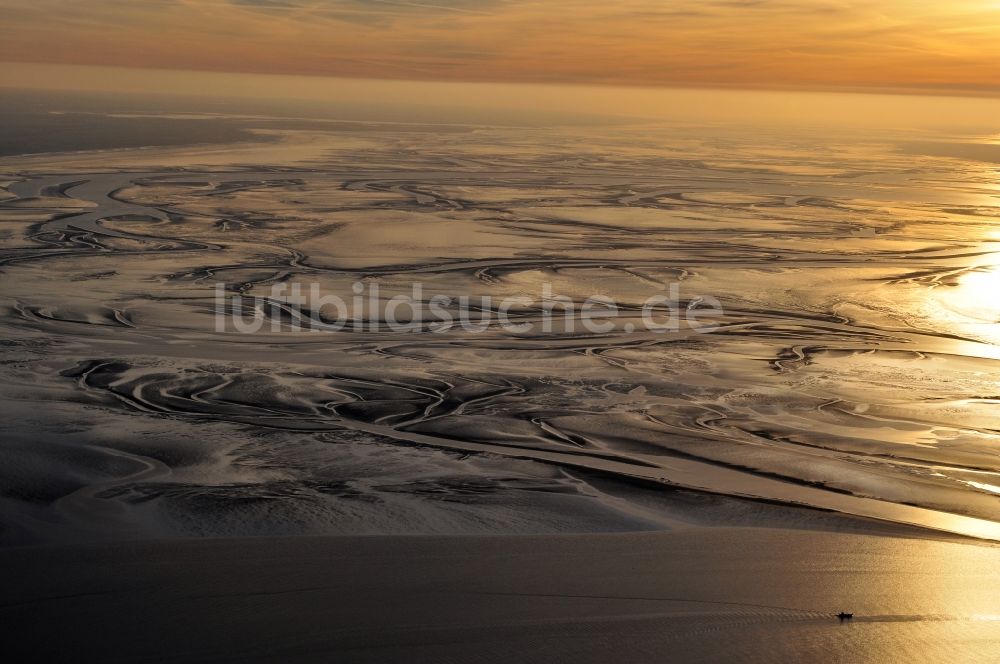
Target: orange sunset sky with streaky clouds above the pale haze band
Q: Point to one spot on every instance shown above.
(889, 45)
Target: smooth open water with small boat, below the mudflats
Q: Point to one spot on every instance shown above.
(712, 595)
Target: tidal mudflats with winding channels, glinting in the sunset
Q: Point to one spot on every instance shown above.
(853, 365)
